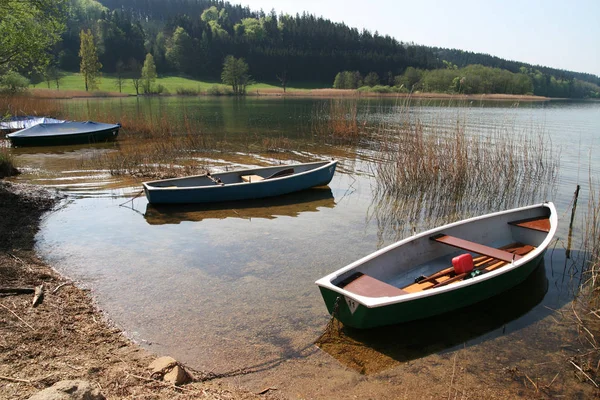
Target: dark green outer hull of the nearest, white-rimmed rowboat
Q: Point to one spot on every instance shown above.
(364, 317)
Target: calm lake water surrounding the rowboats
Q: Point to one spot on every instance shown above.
(232, 287)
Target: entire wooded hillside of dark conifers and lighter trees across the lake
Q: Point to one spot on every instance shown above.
(192, 38)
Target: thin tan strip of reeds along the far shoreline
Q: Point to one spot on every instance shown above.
(308, 93)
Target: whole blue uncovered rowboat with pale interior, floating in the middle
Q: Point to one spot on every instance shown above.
(241, 184)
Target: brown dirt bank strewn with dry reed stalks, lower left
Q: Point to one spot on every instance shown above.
(66, 337)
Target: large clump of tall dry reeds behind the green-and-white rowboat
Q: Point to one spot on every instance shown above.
(430, 173)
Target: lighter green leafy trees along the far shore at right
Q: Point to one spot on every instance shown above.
(472, 79)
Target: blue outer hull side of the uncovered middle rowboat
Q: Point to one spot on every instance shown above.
(240, 191)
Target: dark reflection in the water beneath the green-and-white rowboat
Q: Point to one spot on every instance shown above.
(374, 350)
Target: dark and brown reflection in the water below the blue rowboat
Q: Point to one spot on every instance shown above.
(310, 200)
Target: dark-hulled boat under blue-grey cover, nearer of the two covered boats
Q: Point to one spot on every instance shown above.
(64, 133)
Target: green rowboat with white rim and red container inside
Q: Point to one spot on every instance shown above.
(426, 274)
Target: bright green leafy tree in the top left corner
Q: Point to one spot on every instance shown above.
(28, 30)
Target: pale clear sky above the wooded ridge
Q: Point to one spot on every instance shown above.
(559, 34)
